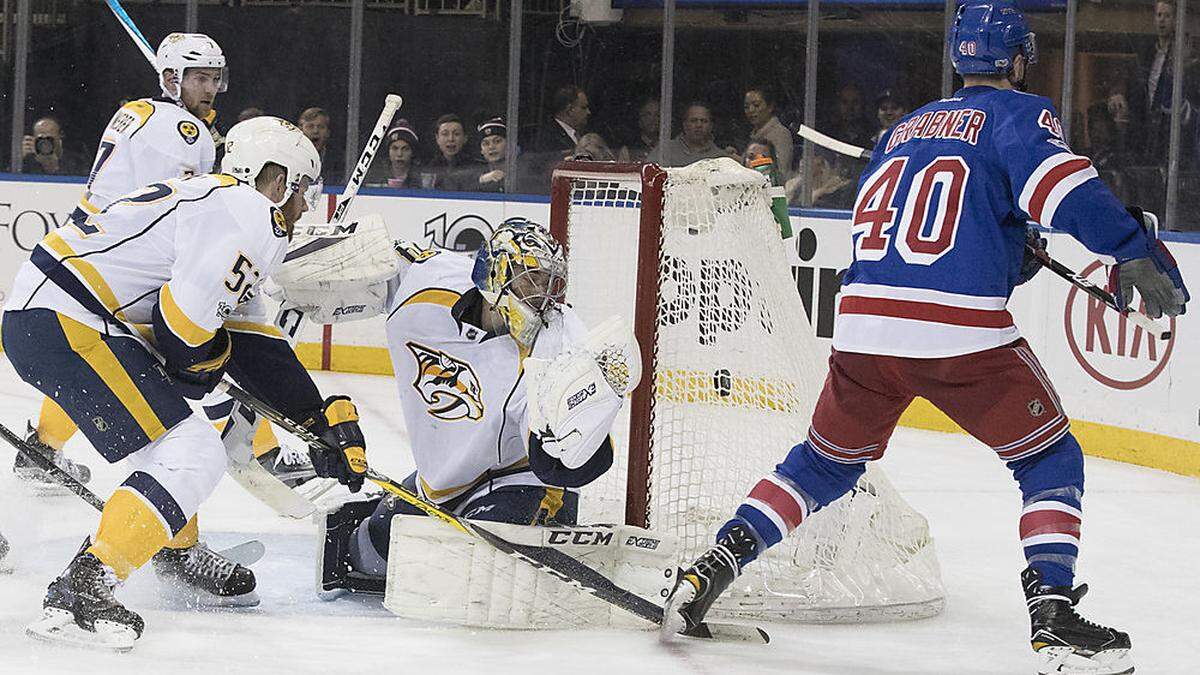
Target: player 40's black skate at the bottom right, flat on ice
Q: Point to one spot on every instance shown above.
(1066, 642)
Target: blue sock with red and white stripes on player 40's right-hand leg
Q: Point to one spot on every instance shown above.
(1052, 489)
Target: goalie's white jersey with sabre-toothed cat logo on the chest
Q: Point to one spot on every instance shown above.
(461, 387)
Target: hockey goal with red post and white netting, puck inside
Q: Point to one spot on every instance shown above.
(694, 259)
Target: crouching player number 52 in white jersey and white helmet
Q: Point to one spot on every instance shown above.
(173, 268)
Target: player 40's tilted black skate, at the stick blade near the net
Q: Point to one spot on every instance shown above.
(699, 587)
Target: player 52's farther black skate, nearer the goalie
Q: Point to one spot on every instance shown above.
(206, 578)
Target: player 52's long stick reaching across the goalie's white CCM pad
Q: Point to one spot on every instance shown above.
(551, 561)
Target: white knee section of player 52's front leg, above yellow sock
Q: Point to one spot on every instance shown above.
(188, 462)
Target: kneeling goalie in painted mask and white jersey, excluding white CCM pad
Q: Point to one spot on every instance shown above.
(469, 341)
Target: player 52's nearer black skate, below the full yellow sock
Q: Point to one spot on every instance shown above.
(80, 608)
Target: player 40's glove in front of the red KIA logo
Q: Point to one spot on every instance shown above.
(1156, 277)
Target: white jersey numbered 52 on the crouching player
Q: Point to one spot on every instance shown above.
(200, 247)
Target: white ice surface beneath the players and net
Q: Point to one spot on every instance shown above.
(1139, 555)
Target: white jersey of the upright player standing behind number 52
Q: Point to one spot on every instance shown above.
(147, 141)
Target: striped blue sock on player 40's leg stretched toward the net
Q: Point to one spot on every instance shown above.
(801, 485)
